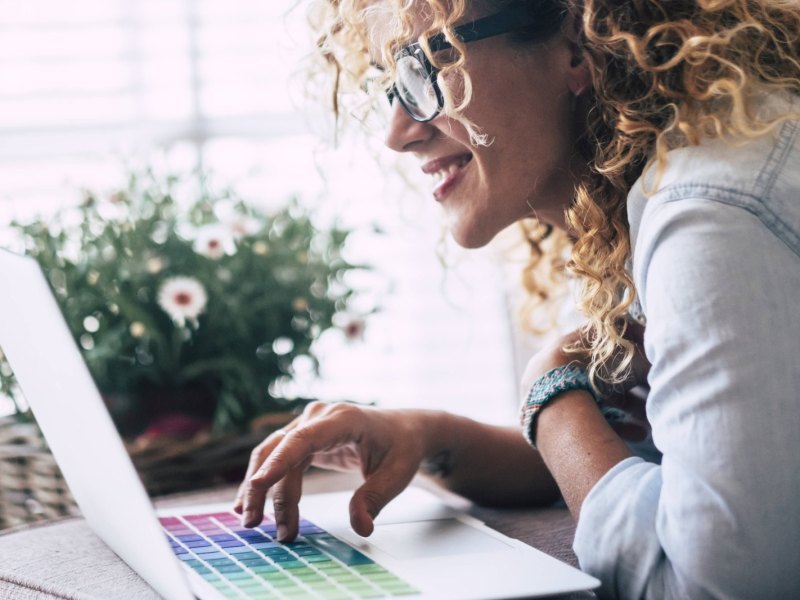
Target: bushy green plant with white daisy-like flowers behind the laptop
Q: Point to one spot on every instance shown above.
(190, 314)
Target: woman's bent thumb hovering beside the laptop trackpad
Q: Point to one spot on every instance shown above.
(376, 492)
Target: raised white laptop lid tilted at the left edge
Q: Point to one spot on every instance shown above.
(50, 369)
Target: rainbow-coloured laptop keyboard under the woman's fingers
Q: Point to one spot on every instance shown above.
(250, 563)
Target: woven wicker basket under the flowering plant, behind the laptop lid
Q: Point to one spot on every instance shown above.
(32, 488)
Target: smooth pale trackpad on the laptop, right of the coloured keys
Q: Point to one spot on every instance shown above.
(440, 537)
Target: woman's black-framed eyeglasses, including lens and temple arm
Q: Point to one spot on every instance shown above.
(416, 84)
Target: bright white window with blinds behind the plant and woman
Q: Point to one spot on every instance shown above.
(91, 87)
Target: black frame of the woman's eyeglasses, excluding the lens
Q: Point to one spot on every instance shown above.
(533, 17)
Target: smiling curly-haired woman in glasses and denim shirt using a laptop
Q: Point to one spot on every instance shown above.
(661, 138)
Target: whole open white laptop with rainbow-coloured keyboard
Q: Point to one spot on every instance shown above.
(421, 547)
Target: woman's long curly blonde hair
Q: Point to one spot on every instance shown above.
(665, 73)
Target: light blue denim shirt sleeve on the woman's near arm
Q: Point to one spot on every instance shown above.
(718, 518)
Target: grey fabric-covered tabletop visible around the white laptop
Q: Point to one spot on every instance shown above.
(65, 560)
